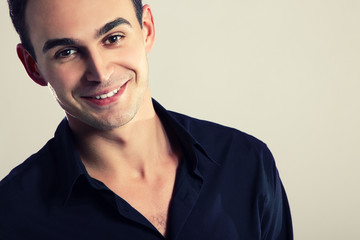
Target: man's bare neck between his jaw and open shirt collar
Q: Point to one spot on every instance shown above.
(133, 150)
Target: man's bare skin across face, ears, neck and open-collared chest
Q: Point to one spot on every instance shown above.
(88, 48)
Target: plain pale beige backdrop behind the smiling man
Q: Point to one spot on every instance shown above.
(284, 71)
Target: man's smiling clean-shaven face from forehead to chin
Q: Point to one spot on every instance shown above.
(92, 53)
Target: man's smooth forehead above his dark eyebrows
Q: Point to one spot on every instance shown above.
(73, 18)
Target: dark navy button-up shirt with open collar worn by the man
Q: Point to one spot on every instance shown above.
(227, 187)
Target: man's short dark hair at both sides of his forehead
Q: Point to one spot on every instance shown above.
(17, 13)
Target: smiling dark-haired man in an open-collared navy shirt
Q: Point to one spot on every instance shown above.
(120, 166)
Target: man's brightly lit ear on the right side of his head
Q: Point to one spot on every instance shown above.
(148, 28)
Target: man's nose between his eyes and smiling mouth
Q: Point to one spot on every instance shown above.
(99, 68)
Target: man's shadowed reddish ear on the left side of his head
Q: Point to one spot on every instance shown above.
(30, 65)
